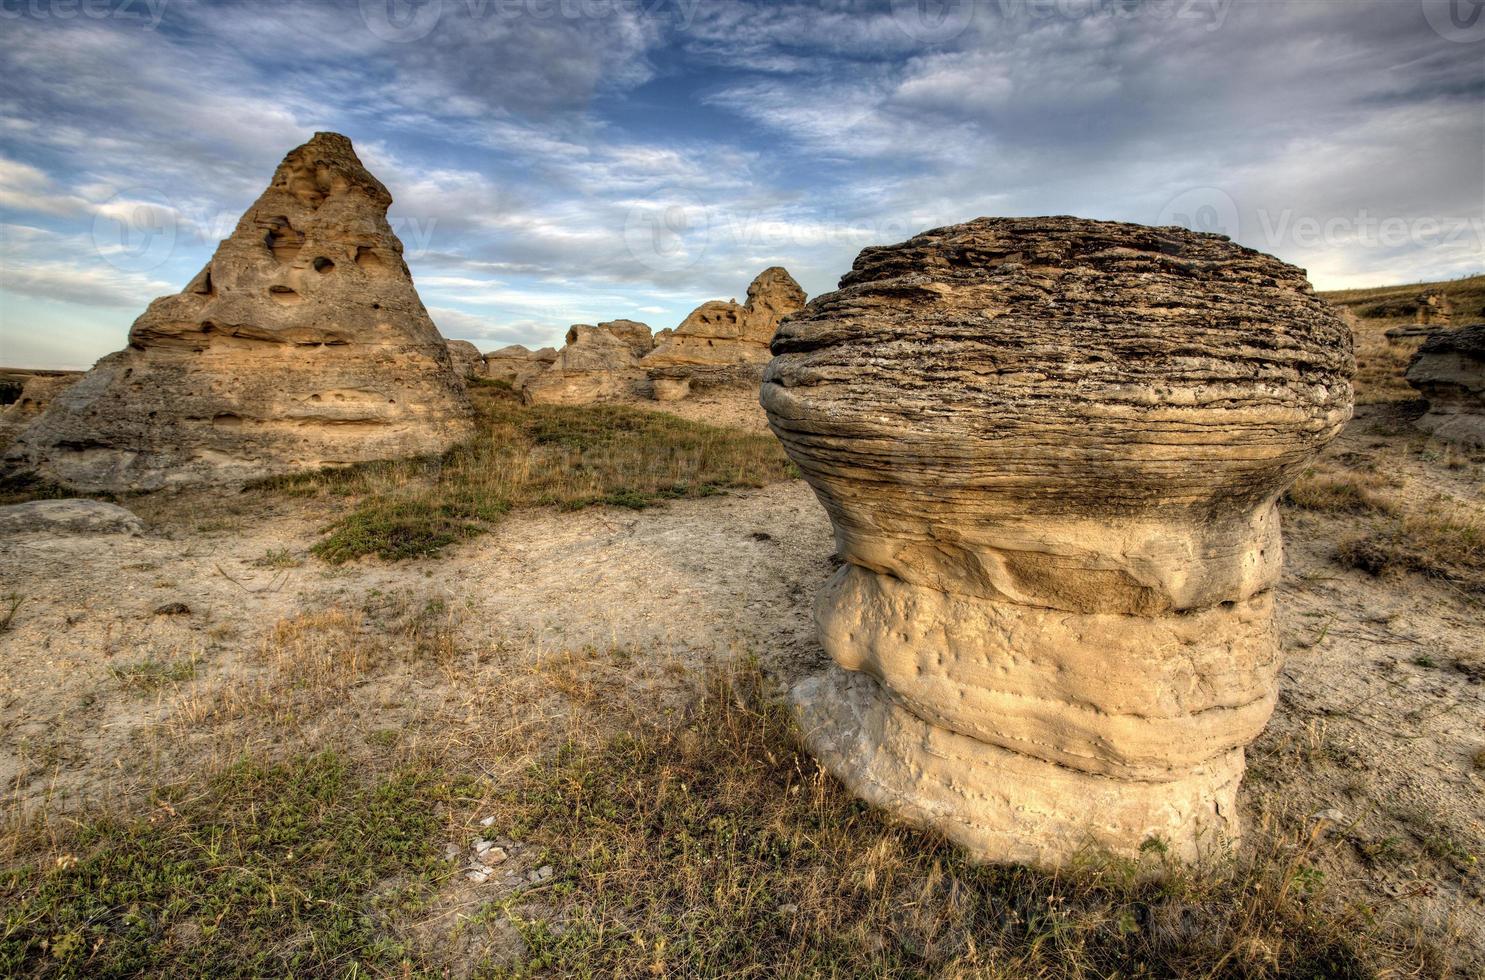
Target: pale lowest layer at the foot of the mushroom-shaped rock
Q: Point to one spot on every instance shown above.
(1002, 806)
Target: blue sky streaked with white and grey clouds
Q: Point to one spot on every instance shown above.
(571, 161)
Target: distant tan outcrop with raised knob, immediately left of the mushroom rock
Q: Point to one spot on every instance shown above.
(725, 342)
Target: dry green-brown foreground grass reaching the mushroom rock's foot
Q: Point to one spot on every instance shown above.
(705, 844)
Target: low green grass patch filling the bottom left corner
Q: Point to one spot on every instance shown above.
(274, 871)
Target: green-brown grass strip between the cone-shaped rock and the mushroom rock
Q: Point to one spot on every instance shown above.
(532, 457)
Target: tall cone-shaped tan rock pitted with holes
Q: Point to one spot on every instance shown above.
(301, 345)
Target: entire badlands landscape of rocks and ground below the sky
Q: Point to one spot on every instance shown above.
(333, 648)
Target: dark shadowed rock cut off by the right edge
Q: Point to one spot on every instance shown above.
(1450, 372)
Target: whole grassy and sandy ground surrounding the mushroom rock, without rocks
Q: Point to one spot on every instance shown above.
(553, 742)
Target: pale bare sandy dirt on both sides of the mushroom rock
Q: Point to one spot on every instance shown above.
(1380, 727)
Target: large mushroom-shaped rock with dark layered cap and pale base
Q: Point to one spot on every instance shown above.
(1052, 452)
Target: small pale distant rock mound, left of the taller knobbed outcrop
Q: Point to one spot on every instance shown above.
(599, 363)
